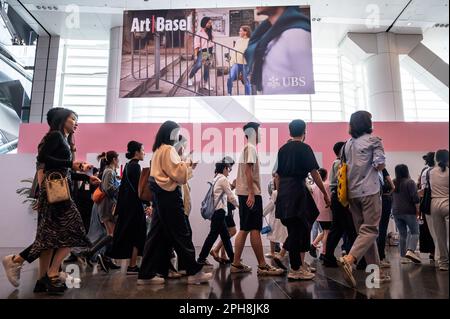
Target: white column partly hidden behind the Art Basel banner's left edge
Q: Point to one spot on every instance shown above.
(117, 110)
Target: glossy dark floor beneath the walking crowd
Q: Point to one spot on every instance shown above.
(408, 281)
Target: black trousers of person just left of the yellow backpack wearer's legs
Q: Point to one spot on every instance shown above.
(342, 224)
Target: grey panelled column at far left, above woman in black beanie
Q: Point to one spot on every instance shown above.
(44, 79)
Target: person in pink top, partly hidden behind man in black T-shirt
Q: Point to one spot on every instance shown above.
(325, 217)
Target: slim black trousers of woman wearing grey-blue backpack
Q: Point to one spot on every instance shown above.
(218, 228)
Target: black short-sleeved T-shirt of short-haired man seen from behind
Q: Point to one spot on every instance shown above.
(295, 159)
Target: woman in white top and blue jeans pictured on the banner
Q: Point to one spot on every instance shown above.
(239, 65)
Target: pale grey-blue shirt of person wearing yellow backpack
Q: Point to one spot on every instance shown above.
(363, 155)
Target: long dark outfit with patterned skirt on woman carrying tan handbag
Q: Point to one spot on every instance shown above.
(59, 225)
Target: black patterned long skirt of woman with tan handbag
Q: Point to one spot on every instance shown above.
(59, 225)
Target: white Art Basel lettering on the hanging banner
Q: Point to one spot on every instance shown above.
(159, 24)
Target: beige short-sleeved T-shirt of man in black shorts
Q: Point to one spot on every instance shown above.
(248, 156)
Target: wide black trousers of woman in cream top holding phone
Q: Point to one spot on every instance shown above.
(169, 229)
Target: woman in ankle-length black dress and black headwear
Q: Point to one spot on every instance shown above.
(131, 226)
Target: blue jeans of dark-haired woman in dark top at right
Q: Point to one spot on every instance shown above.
(408, 228)
